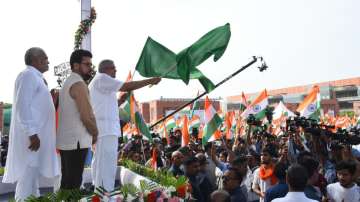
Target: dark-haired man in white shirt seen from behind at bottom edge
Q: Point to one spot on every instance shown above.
(296, 178)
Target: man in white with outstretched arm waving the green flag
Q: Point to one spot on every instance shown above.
(103, 89)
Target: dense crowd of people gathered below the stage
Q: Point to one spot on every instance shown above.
(295, 166)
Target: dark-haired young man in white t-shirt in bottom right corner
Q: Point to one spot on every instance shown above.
(345, 190)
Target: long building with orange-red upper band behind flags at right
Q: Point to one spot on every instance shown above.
(336, 96)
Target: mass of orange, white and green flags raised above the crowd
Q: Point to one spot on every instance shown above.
(233, 123)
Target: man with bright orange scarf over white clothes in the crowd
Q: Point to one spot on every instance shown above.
(264, 177)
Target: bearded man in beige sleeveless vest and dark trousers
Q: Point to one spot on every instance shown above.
(77, 129)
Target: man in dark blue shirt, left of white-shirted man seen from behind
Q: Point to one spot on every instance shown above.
(281, 189)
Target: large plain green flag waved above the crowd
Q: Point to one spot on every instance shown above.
(158, 61)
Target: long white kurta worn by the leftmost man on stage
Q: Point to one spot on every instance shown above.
(33, 112)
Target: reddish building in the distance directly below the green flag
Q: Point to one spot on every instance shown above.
(157, 109)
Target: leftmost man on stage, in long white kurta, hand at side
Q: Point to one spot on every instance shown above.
(31, 152)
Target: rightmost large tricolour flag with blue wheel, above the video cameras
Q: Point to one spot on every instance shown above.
(310, 107)
